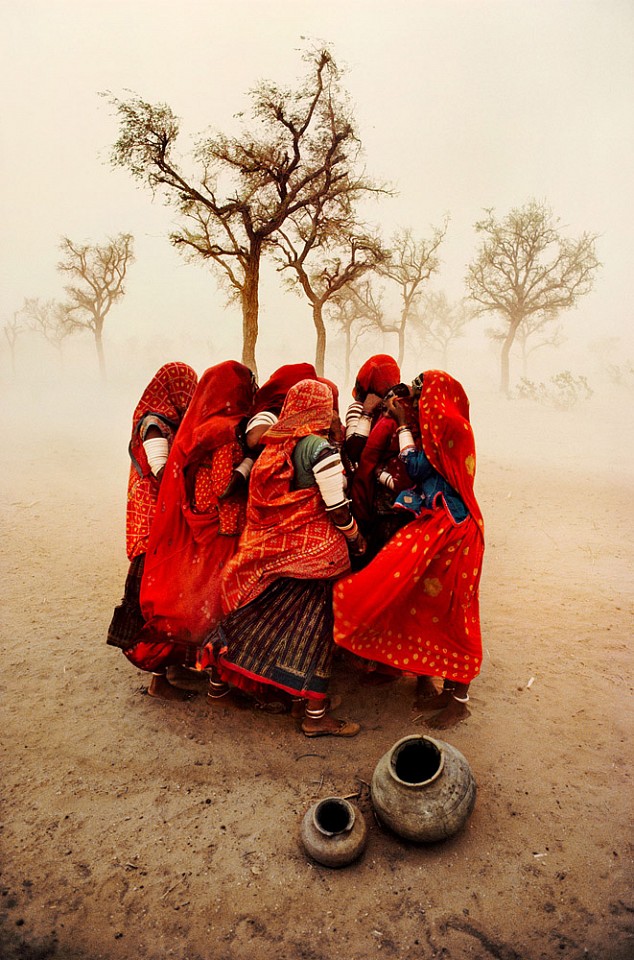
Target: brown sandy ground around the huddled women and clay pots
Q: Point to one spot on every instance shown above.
(137, 829)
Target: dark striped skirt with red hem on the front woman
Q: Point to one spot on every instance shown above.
(282, 638)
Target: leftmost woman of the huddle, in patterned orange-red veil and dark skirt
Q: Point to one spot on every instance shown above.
(155, 421)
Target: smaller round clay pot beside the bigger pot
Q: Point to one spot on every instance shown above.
(334, 832)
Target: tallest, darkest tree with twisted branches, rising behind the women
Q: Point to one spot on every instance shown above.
(247, 186)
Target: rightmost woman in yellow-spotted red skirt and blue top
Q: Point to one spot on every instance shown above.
(415, 607)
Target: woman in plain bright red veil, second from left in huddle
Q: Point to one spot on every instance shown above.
(196, 527)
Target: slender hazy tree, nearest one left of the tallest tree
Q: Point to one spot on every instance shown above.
(97, 273)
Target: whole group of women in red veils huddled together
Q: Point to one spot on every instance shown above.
(264, 536)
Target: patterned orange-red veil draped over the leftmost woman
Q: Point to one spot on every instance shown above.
(164, 400)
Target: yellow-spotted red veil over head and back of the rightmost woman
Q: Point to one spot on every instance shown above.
(446, 434)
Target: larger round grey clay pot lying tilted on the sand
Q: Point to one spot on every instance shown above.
(423, 789)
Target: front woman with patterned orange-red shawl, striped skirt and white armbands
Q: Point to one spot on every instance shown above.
(277, 591)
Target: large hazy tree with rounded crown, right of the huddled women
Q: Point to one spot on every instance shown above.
(525, 268)
